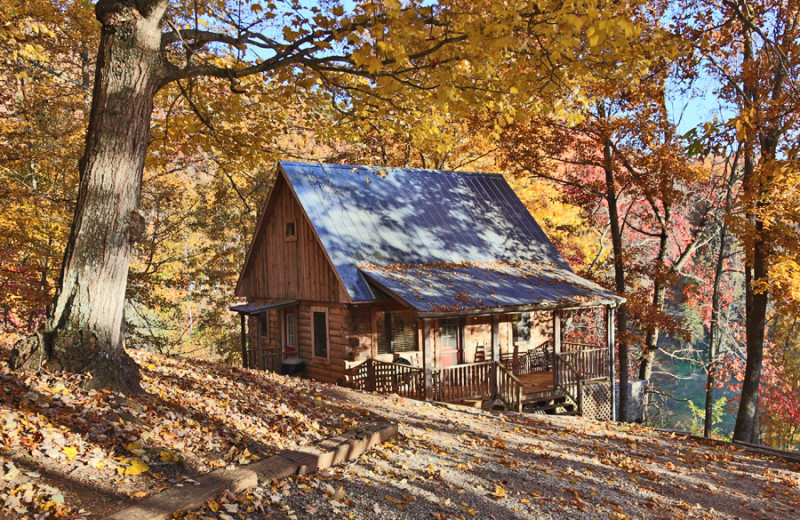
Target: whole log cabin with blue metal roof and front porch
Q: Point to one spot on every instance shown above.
(434, 285)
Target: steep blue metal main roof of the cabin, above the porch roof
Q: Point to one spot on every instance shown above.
(370, 216)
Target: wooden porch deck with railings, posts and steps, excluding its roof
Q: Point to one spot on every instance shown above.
(553, 376)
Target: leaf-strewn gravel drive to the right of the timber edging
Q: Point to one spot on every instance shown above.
(452, 462)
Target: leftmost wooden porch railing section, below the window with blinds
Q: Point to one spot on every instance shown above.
(387, 378)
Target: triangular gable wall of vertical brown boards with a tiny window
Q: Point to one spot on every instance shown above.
(281, 269)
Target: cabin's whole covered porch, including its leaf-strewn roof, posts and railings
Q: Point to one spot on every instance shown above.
(493, 335)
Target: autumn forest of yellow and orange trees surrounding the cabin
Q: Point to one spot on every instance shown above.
(656, 142)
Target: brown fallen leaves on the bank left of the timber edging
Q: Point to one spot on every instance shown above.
(196, 416)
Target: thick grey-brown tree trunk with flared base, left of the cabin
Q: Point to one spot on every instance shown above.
(85, 329)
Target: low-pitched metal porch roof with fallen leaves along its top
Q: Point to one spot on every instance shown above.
(443, 289)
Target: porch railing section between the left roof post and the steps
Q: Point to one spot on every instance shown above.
(467, 381)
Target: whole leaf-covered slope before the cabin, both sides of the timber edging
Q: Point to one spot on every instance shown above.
(73, 454)
